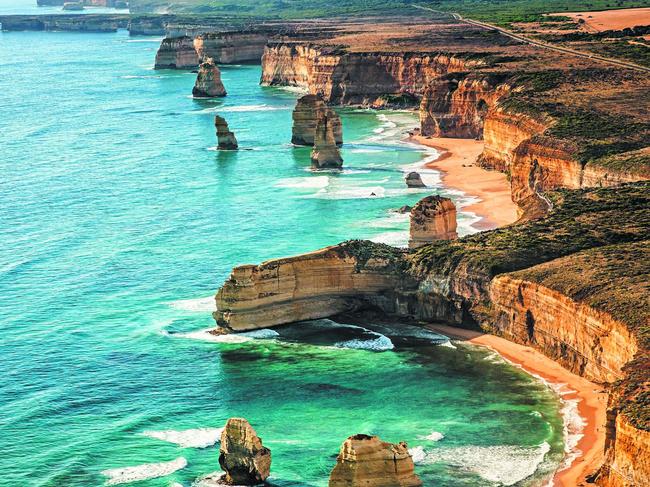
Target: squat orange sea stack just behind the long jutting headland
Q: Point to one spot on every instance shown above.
(432, 218)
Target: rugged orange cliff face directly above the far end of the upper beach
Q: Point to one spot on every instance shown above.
(453, 107)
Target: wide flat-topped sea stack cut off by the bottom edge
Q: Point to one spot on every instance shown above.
(369, 462)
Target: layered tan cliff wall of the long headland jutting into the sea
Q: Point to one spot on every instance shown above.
(309, 286)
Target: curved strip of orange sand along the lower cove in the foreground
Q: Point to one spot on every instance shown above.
(592, 406)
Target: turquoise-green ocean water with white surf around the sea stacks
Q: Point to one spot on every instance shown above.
(119, 221)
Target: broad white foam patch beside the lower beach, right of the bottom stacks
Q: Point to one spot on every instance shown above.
(502, 464)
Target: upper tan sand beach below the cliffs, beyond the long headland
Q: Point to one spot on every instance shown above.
(458, 165)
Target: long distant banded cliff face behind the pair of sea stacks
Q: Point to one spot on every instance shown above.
(354, 78)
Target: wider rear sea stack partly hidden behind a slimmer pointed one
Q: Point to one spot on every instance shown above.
(309, 109)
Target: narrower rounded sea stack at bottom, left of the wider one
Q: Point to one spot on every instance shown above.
(243, 457)
